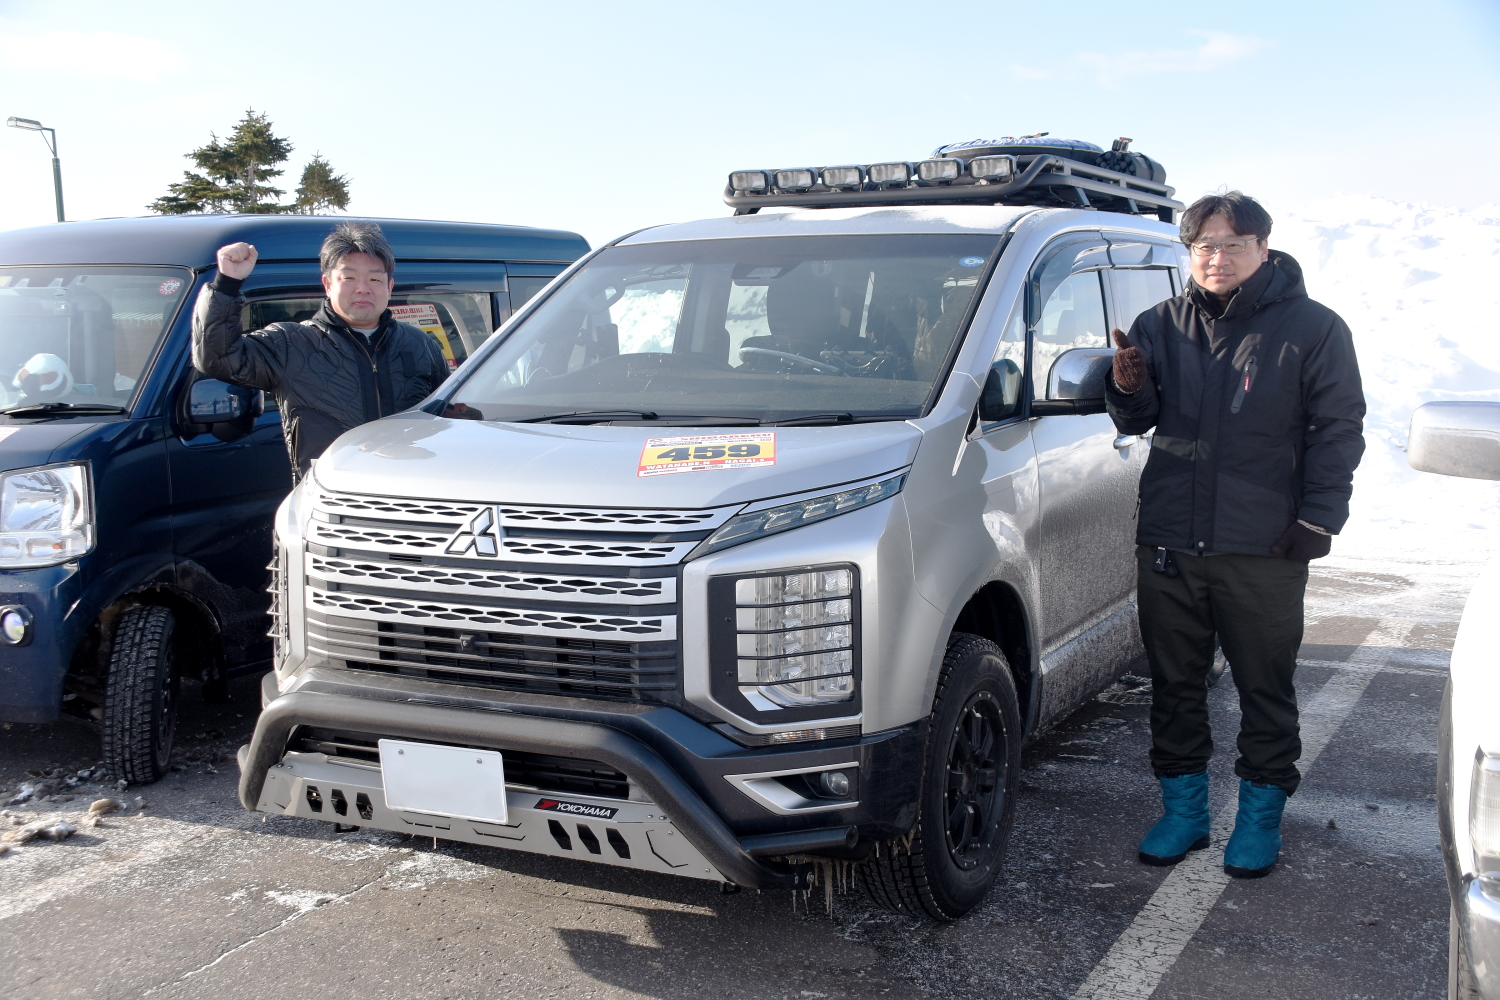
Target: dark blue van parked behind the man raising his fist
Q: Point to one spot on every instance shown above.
(136, 494)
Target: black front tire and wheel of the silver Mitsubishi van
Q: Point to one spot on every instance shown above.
(967, 804)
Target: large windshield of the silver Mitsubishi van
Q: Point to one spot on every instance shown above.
(760, 331)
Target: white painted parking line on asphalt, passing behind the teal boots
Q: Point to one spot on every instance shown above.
(1151, 945)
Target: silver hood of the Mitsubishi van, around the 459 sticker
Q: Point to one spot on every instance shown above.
(430, 458)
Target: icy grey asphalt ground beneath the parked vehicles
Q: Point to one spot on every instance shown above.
(188, 896)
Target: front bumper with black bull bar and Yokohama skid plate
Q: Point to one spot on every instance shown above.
(688, 812)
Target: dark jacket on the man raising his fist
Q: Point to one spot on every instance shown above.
(326, 379)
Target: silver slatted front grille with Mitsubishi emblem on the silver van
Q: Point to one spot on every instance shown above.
(556, 600)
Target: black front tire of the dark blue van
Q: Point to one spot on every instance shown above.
(140, 705)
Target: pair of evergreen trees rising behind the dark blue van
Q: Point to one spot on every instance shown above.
(236, 176)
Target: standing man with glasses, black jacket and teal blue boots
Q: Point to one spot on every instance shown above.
(1255, 394)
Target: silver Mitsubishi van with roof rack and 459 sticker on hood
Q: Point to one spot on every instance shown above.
(779, 536)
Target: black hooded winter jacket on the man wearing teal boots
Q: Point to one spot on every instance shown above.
(1259, 416)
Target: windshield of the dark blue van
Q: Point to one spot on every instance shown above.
(82, 335)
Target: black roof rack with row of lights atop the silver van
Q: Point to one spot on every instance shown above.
(950, 181)
